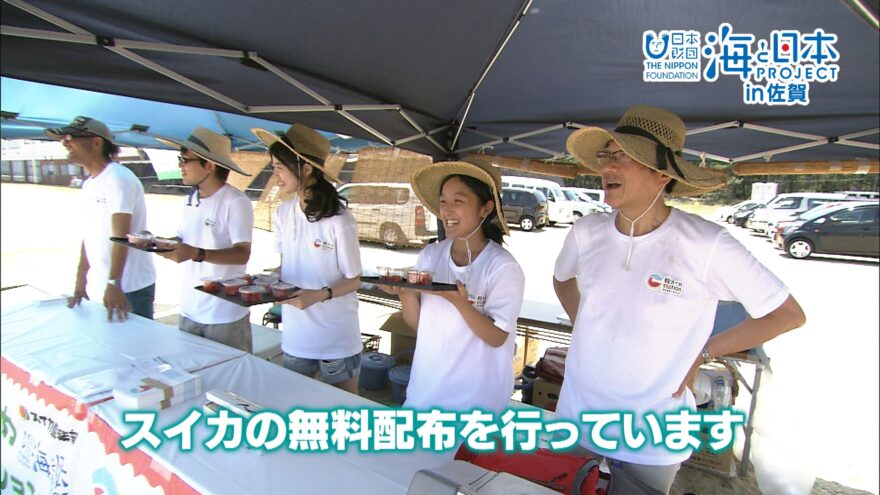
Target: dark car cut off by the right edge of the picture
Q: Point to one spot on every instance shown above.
(850, 228)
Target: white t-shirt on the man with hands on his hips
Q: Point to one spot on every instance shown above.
(638, 332)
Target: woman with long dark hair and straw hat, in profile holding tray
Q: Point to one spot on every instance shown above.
(317, 238)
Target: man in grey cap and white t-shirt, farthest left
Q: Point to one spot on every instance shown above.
(114, 207)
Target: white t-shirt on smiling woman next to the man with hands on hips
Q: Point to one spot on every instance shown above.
(453, 368)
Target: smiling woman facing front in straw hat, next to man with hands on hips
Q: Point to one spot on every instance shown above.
(465, 344)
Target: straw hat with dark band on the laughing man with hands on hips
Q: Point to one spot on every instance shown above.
(653, 137)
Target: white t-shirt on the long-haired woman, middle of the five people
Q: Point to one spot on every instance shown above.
(315, 255)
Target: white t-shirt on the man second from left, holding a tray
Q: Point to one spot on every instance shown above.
(220, 221)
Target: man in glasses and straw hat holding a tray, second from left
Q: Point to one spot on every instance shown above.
(215, 238)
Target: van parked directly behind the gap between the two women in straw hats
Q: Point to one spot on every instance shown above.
(389, 213)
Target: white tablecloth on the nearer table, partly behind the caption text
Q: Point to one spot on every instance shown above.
(244, 471)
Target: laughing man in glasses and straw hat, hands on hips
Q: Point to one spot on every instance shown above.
(641, 286)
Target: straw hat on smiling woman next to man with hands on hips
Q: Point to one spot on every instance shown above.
(426, 183)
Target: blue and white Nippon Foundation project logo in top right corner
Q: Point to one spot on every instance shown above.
(774, 71)
